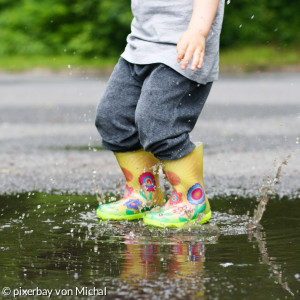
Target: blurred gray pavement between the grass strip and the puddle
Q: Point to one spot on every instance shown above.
(249, 126)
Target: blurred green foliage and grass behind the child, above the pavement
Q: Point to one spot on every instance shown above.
(90, 34)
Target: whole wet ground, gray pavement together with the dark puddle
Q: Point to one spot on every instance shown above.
(50, 148)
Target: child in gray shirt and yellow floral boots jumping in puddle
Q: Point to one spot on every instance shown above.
(151, 104)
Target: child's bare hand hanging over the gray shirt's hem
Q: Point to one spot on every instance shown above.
(191, 44)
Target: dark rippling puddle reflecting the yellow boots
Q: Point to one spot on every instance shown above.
(56, 242)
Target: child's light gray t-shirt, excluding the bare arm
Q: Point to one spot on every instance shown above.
(155, 30)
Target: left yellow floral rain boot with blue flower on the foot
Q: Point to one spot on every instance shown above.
(142, 190)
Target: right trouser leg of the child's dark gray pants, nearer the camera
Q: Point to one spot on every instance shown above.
(167, 111)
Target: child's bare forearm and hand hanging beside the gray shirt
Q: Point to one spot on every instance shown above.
(192, 42)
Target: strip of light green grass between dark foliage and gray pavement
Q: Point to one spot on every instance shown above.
(246, 59)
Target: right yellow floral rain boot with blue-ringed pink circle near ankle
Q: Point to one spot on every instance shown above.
(188, 202)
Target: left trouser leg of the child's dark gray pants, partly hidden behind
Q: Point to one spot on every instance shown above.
(115, 119)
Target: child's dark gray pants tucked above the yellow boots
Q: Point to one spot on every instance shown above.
(151, 107)
